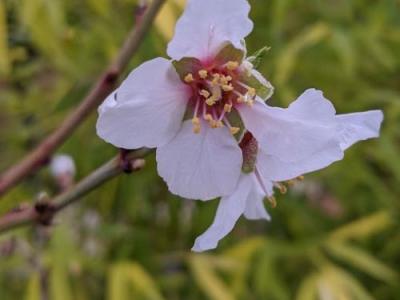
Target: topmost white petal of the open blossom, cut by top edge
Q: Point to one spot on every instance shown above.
(206, 25)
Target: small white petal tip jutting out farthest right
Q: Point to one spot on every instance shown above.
(358, 126)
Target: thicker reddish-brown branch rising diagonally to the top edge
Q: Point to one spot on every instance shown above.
(104, 85)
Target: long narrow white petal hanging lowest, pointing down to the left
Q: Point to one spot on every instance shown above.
(229, 210)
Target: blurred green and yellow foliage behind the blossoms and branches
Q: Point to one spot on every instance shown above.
(334, 235)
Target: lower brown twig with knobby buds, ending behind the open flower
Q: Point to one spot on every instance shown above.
(43, 212)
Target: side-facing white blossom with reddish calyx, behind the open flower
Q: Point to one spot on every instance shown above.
(305, 137)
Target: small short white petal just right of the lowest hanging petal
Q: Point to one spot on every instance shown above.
(255, 208)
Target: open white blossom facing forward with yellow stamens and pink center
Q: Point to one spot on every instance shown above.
(187, 107)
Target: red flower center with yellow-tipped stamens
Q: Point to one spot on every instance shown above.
(217, 91)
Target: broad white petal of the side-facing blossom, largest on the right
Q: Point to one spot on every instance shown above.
(285, 133)
